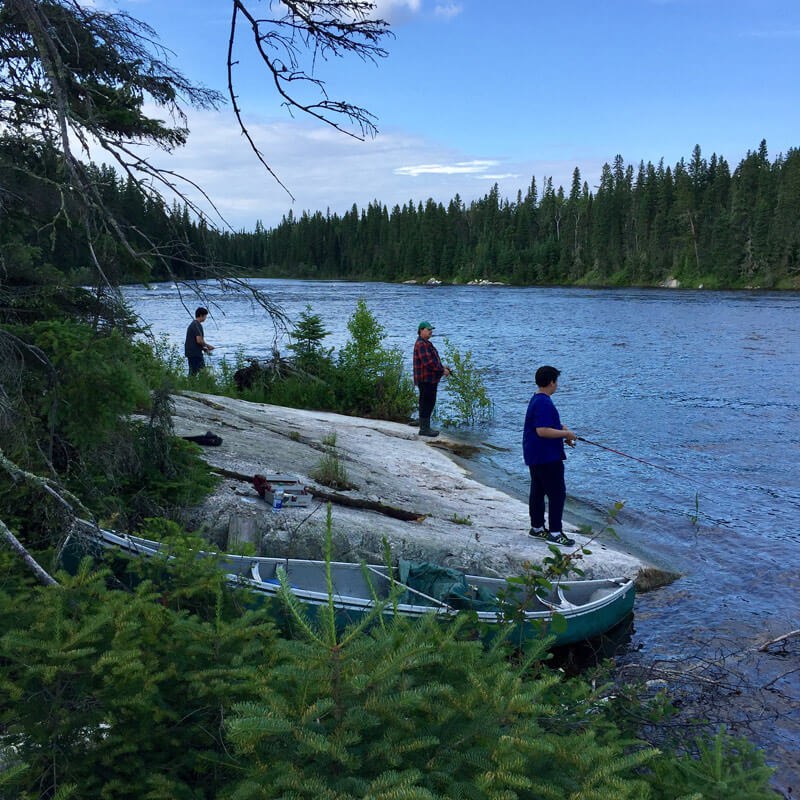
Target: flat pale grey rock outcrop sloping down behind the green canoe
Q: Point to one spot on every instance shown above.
(390, 466)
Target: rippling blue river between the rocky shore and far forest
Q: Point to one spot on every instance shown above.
(705, 384)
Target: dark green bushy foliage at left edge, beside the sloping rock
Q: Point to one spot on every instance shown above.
(73, 420)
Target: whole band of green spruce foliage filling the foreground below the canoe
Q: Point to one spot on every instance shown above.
(169, 688)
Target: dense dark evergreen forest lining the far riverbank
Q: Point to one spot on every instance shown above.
(697, 222)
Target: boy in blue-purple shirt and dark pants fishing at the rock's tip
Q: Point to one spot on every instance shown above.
(543, 447)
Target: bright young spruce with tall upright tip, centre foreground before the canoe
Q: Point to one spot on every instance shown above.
(416, 709)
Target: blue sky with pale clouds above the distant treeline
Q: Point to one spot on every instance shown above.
(474, 93)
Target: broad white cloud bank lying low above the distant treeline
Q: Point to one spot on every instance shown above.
(327, 170)
